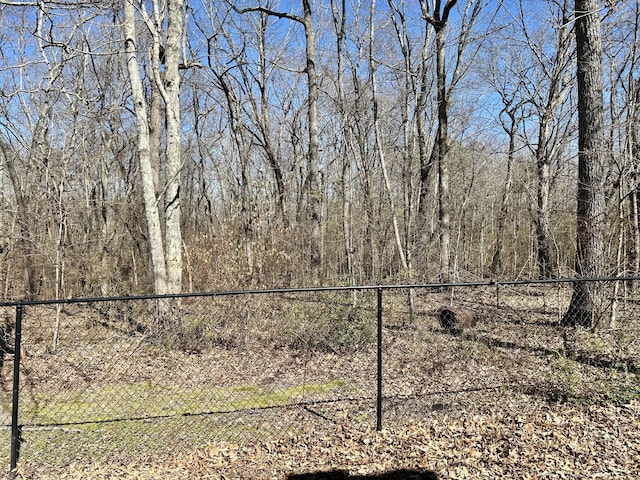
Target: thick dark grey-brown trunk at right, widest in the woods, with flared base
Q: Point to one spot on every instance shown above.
(587, 305)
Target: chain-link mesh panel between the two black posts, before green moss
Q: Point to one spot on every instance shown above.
(109, 381)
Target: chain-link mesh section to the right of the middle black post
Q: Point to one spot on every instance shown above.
(520, 344)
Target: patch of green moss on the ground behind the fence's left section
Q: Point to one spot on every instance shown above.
(142, 419)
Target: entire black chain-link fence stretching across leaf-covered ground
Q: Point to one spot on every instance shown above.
(124, 379)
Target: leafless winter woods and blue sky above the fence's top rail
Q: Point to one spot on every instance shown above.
(159, 146)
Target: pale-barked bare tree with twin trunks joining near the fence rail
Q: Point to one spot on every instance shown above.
(165, 241)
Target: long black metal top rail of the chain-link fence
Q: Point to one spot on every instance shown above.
(226, 293)
